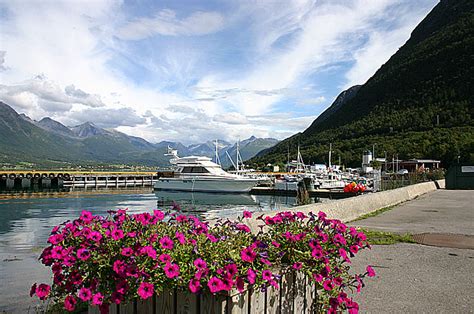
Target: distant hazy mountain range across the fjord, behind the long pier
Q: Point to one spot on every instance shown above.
(49, 143)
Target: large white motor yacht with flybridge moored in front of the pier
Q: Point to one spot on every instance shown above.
(200, 174)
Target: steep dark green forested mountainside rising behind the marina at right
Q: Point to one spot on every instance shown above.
(420, 104)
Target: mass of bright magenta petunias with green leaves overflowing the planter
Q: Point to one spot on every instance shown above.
(121, 257)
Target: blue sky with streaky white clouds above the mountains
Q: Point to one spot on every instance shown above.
(194, 70)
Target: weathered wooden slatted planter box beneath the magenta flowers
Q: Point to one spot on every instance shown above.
(297, 294)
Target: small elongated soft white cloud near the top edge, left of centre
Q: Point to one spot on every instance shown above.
(166, 23)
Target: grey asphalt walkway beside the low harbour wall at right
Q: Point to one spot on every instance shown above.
(414, 278)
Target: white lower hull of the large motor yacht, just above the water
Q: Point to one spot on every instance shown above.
(205, 185)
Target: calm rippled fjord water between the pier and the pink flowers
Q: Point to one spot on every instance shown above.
(27, 219)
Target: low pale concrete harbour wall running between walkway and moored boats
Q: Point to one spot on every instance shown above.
(351, 208)
